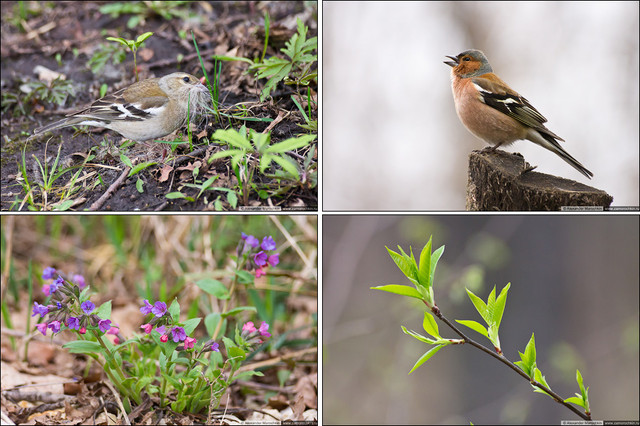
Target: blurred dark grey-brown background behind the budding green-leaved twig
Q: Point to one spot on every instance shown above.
(574, 282)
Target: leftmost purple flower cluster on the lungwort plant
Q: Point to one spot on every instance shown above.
(63, 293)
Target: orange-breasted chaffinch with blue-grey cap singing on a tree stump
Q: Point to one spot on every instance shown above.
(494, 112)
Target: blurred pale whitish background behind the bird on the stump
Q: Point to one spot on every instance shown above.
(391, 136)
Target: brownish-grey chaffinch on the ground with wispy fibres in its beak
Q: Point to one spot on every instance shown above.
(145, 110)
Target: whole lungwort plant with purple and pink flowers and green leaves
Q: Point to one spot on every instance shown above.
(166, 361)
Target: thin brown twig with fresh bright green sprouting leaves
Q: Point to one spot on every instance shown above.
(421, 275)
